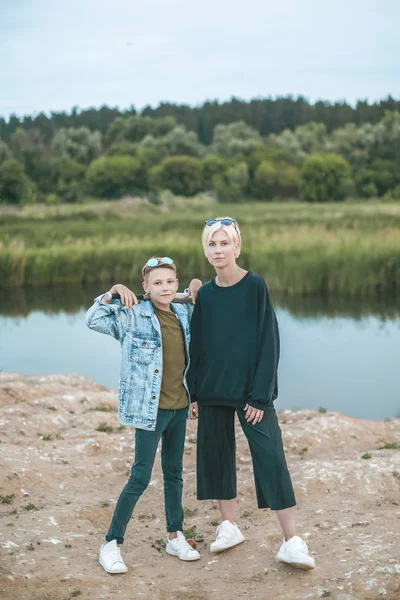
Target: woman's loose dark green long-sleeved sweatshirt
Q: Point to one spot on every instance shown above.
(234, 348)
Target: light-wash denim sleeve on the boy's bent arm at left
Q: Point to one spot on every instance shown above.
(110, 319)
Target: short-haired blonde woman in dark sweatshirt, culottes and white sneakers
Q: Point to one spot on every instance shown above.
(234, 354)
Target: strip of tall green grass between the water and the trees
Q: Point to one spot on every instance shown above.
(346, 248)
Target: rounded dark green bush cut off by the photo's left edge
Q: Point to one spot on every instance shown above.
(15, 186)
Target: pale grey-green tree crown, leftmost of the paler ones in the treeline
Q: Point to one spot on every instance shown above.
(79, 144)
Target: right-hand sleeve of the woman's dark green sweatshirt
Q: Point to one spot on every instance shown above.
(264, 387)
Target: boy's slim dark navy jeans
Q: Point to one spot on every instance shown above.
(171, 429)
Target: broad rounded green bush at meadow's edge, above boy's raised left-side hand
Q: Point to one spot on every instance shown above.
(113, 176)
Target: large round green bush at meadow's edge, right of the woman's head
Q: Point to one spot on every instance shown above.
(325, 177)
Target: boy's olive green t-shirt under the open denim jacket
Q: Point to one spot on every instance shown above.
(173, 393)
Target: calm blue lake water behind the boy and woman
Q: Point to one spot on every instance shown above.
(339, 354)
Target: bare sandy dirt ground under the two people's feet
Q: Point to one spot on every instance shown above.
(61, 477)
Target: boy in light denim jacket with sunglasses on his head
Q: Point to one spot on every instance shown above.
(153, 396)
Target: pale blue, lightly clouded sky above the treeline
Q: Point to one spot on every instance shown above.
(56, 54)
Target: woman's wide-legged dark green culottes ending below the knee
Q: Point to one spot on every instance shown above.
(216, 457)
